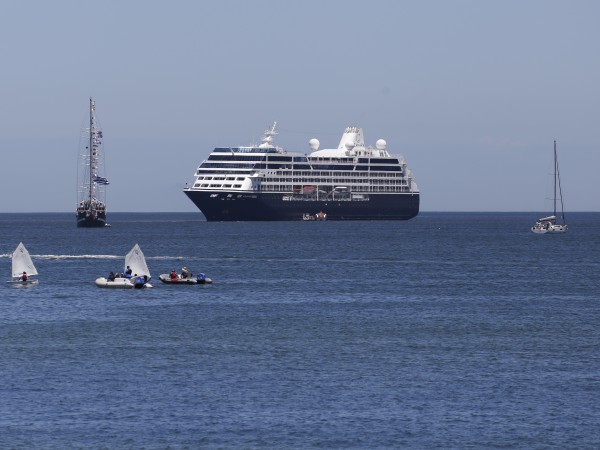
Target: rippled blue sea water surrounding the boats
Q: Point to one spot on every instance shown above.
(451, 330)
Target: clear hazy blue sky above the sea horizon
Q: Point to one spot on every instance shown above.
(473, 93)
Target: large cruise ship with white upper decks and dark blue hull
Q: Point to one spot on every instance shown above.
(266, 182)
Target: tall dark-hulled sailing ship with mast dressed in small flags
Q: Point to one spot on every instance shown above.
(91, 182)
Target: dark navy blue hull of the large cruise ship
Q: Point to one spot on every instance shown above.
(236, 206)
